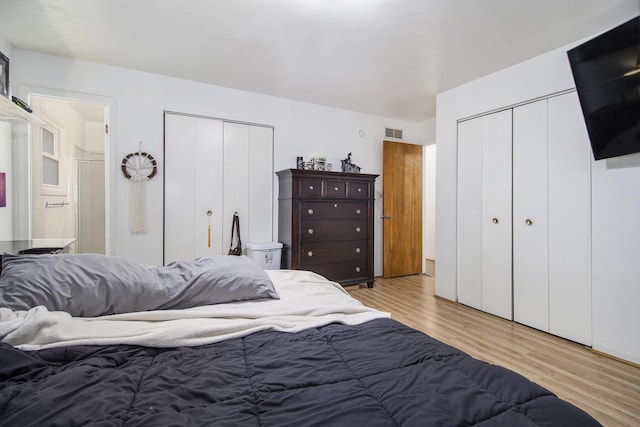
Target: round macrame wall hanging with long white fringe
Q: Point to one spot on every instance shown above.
(139, 168)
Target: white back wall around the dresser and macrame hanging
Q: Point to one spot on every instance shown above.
(300, 129)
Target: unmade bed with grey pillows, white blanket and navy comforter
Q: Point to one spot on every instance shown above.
(94, 340)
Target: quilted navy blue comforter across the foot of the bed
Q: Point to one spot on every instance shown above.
(380, 373)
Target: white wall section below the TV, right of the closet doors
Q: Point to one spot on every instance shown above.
(615, 215)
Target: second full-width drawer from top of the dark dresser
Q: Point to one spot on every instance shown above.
(326, 230)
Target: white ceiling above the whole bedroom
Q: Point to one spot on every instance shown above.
(382, 57)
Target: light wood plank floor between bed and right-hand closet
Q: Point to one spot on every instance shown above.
(608, 389)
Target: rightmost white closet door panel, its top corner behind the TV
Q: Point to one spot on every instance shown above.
(569, 221)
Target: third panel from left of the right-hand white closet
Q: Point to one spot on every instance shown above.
(530, 241)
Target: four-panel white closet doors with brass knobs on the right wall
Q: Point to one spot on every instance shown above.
(544, 252)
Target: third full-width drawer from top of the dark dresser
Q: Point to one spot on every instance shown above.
(331, 252)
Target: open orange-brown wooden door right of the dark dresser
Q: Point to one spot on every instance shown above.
(402, 209)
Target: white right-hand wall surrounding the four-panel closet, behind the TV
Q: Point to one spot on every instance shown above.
(615, 199)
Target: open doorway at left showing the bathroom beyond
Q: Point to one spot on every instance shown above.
(67, 164)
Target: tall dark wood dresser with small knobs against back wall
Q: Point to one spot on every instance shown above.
(326, 224)
